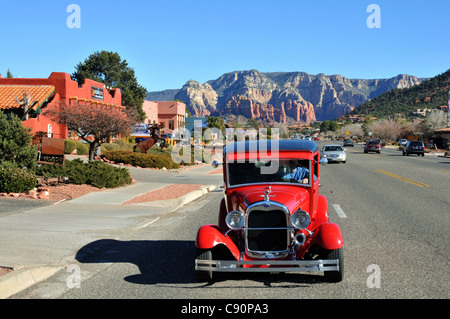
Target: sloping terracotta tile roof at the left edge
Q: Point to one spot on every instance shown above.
(39, 93)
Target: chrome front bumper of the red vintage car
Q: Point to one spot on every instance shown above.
(272, 265)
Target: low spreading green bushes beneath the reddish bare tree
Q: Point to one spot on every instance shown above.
(94, 173)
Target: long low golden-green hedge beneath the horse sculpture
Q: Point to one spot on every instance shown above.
(142, 160)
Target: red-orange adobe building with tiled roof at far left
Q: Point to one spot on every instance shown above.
(57, 88)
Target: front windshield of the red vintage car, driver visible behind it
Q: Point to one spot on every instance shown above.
(281, 171)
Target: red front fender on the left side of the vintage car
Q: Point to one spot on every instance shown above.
(209, 236)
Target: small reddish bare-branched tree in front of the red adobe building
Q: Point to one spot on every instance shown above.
(91, 122)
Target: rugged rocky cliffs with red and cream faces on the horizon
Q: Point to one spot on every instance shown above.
(286, 97)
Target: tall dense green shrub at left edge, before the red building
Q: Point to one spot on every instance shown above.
(15, 143)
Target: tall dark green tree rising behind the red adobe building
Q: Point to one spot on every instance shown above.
(108, 68)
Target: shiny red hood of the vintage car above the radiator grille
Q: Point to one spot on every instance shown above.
(291, 196)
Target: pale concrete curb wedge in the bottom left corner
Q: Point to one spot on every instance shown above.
(21, 279)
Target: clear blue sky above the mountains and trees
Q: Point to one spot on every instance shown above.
(170, 42)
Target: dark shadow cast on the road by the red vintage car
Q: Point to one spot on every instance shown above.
(172, 262)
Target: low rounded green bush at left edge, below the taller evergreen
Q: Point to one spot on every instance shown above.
(16, 180)
